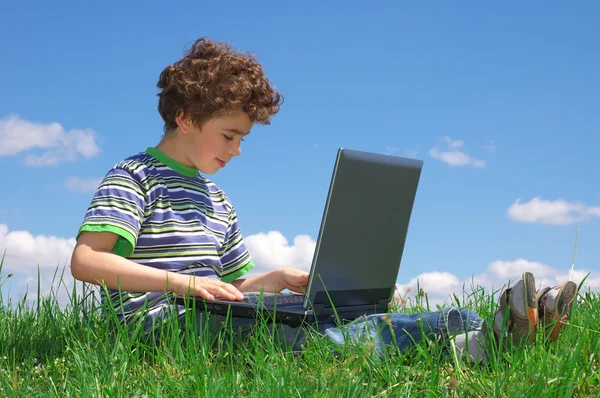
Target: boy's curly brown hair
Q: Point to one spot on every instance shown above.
(211, 79)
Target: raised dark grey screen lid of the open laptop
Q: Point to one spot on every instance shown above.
(363, 230)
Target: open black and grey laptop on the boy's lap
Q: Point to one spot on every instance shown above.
(359, 247)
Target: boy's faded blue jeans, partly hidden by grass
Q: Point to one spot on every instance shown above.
(378, 330)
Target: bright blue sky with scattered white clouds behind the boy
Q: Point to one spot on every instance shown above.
(500, 101)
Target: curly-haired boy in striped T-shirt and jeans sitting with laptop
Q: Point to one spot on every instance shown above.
(157, 227)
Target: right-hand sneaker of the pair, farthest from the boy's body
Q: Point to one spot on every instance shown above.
(554, 307)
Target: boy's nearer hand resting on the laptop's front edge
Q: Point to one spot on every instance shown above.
(204, 287)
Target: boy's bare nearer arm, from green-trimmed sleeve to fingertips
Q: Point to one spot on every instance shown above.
(94, 262)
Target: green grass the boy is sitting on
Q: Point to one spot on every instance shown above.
(74, 351)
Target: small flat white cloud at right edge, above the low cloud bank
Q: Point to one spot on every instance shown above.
(555, 212)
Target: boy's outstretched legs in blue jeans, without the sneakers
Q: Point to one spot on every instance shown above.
(403, 330)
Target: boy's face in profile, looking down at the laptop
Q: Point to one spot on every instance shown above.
(212, 145)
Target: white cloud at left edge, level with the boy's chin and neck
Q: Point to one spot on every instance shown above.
(18, 135)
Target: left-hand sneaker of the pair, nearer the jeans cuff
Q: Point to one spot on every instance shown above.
(519, 307)
